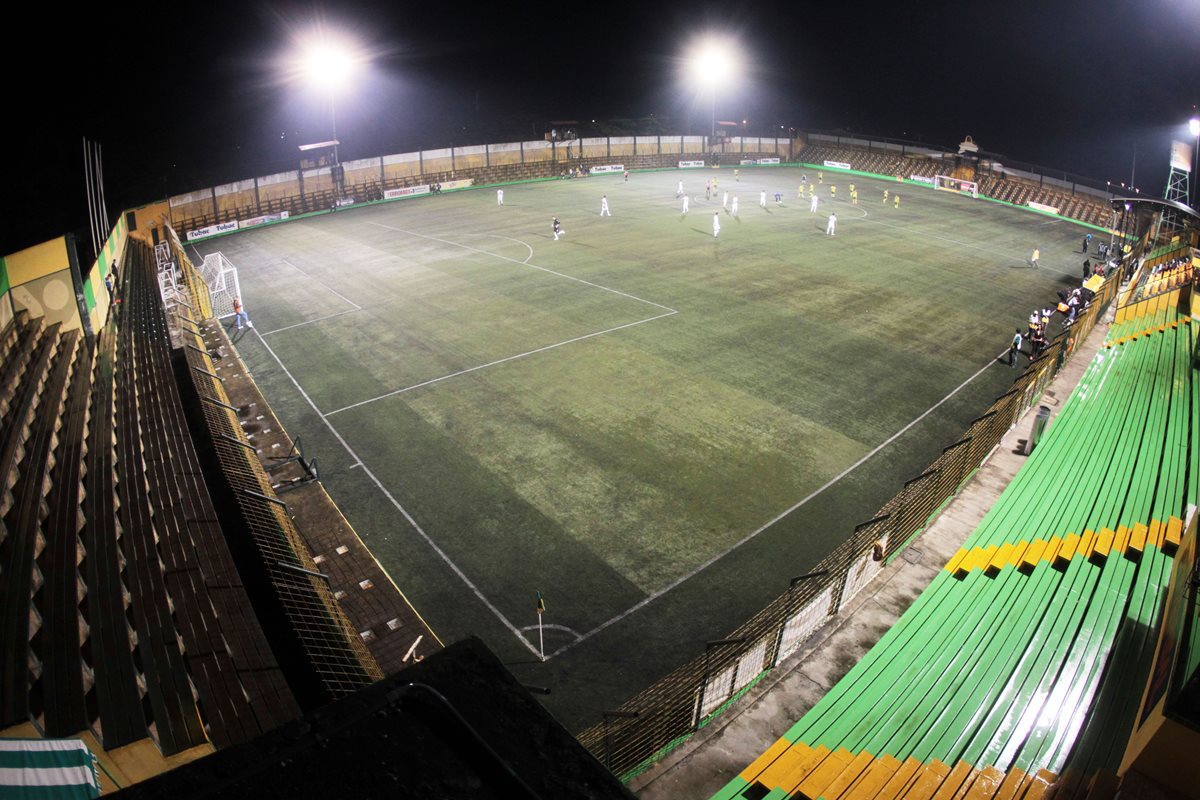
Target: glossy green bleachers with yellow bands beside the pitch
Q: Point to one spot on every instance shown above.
(1019, 671)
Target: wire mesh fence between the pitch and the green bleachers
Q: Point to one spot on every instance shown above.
(639, 733)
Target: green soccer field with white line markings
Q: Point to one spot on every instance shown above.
(652, 428)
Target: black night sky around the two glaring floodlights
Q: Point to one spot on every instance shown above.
(191, 97)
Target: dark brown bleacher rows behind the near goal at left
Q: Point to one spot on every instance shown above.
(128, 611)
